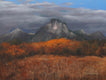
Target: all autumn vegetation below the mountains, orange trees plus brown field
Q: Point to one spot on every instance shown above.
(58, 59)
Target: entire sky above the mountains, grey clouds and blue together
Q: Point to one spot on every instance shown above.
(30, 15)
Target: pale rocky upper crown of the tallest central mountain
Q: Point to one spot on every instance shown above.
(57, 27)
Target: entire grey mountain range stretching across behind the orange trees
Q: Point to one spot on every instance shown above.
(52, 30)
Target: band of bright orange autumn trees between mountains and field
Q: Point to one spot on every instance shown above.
(55, 47)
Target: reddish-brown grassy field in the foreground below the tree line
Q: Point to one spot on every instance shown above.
(55, 68)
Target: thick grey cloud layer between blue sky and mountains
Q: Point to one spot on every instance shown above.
(33, 16)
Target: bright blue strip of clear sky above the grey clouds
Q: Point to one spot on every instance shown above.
(90, 4)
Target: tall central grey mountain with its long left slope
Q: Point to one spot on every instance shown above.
(52, 30)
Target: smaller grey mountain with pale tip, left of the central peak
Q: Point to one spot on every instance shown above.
(16, 34)
